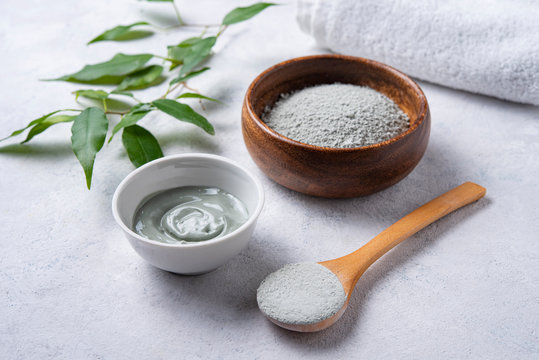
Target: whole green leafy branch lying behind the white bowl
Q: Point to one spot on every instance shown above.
(126, 73)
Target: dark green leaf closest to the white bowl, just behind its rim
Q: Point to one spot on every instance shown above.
(141, 145)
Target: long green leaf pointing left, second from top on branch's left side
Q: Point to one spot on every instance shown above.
(112, 71)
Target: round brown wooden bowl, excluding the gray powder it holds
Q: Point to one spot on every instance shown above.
(334, 172)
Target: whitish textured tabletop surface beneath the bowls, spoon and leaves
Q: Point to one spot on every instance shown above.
(72, 288)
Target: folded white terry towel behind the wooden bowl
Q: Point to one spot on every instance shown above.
(483, 46)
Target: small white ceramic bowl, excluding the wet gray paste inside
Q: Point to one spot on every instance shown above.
(188, 170)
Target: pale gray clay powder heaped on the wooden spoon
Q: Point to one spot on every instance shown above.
(301, 294)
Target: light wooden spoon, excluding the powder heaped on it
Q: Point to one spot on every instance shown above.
(349, 268)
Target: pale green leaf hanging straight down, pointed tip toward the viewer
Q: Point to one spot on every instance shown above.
(88, 136)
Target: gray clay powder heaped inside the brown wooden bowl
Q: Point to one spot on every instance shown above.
(337, 115)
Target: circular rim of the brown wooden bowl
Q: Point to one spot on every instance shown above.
(279, 137)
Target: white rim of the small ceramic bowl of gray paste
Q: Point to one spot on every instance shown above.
(252, 217)
